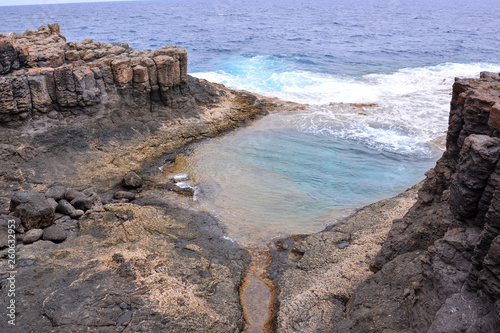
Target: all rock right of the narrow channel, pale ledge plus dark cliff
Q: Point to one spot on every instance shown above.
(439, 268)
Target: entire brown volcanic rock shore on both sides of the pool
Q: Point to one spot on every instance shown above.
(103, 245)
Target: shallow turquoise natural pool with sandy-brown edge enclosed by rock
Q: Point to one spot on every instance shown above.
(278, 177)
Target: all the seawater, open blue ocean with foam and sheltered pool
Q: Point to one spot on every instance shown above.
(375, 78)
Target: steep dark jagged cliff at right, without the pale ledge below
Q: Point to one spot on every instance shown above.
(439, 269)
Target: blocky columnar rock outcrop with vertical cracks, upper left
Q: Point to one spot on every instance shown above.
(41, 75)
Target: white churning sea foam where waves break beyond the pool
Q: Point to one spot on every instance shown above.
(411, 105)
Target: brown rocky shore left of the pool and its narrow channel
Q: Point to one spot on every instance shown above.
(133, 261)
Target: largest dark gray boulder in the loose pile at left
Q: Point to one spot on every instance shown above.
(33, 209)
